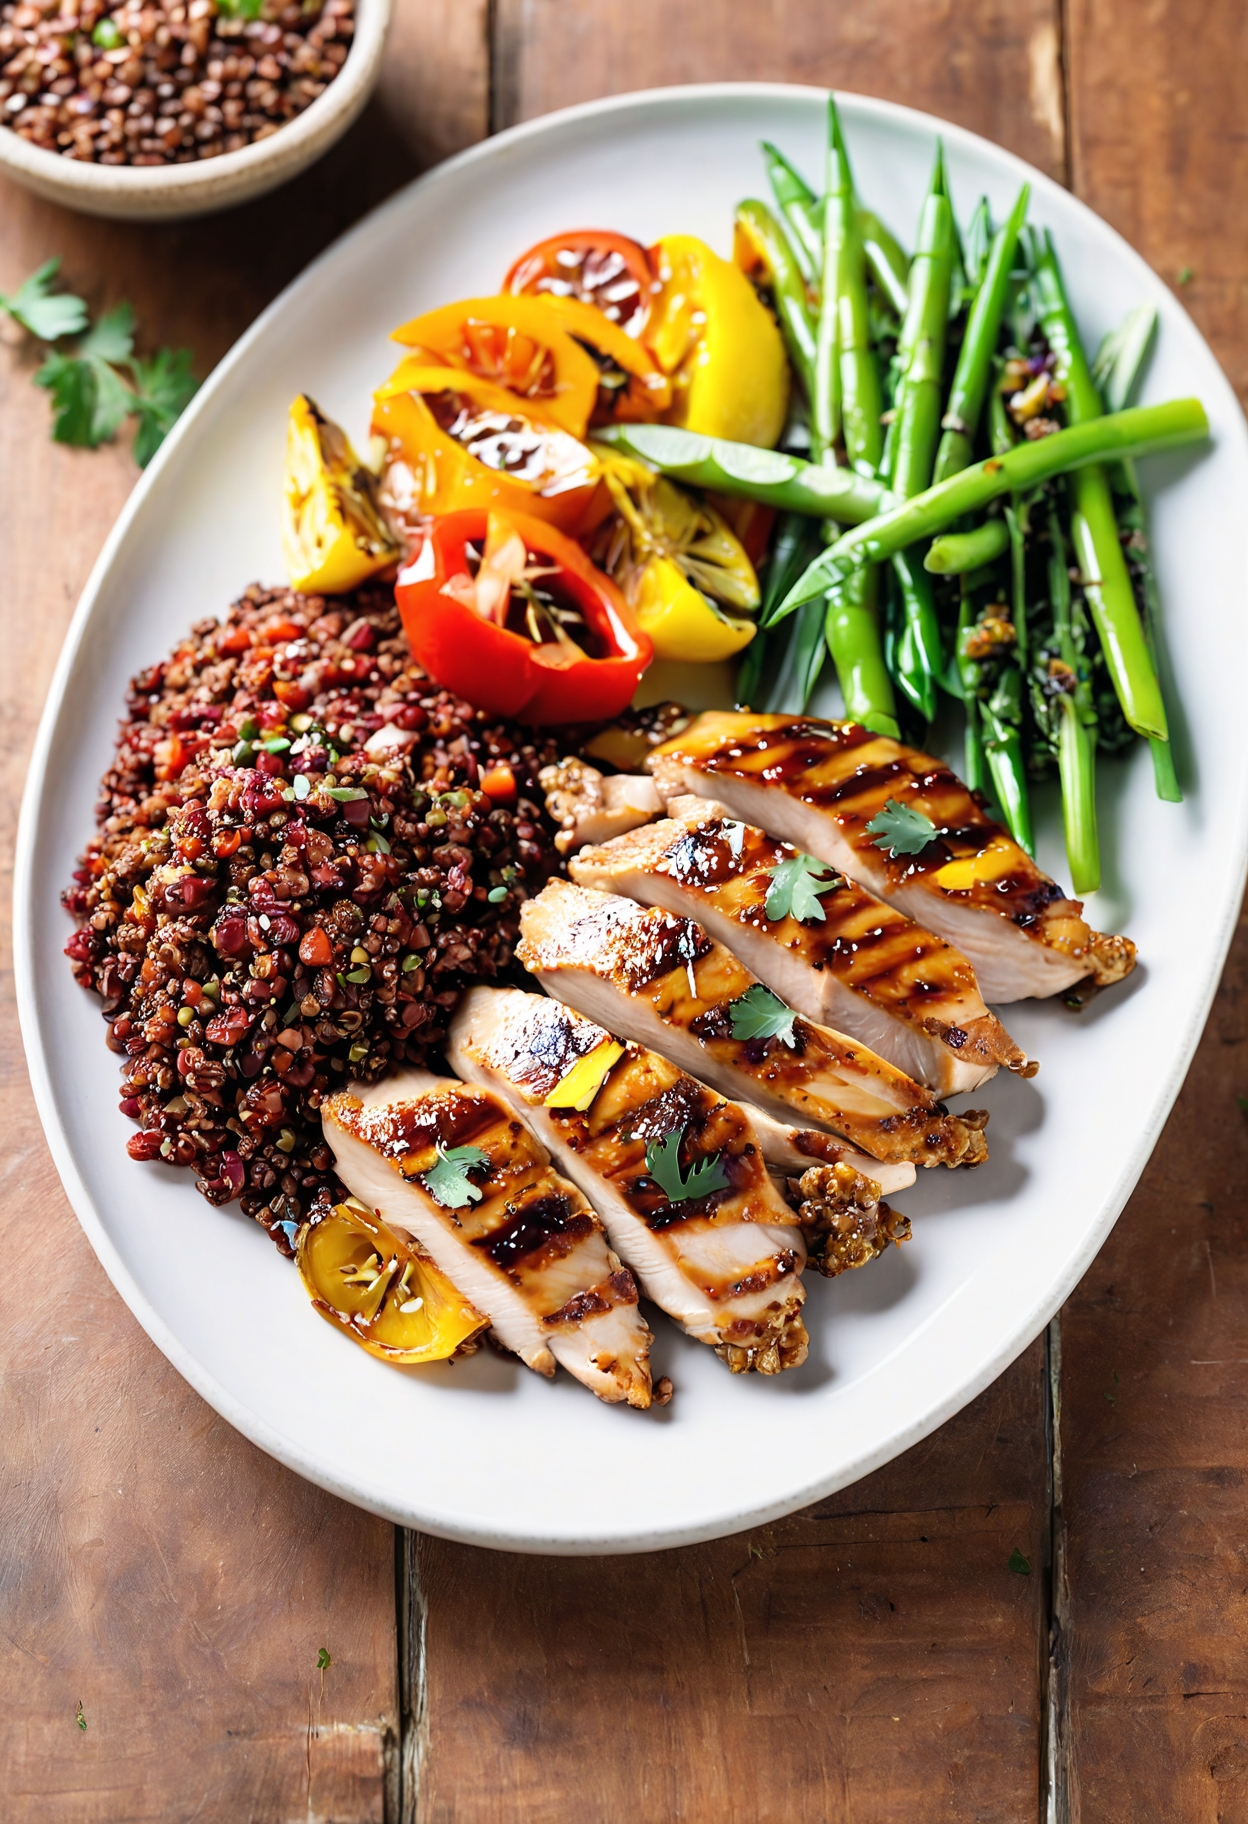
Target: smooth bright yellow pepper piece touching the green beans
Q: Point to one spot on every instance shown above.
(720, 346)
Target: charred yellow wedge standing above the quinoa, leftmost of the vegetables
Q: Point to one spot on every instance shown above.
(333, 530)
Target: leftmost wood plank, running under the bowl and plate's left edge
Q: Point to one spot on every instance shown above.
(154, 1568)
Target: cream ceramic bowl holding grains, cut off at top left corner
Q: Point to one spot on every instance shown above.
(167, 192)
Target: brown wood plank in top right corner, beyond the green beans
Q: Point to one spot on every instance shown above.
(1160, 149)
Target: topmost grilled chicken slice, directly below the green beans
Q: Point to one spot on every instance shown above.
(818, 785)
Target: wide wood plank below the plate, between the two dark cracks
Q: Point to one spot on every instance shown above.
(873, 1657)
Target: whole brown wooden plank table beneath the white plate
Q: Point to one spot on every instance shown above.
(165, 1590)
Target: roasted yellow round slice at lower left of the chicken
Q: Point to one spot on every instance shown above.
(384, 1292)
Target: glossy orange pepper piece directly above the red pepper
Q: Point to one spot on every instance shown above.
(472, 444)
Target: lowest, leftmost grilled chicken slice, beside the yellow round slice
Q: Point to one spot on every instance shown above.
(515, 1238)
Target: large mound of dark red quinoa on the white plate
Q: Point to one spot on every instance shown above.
(295, 878)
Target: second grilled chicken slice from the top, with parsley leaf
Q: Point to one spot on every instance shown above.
(829, 948)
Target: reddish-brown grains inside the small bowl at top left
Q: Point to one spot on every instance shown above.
(169, 83)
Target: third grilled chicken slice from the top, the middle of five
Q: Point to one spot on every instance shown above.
(665, 984)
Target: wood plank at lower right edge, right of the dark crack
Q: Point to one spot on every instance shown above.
(1156, 1466)
